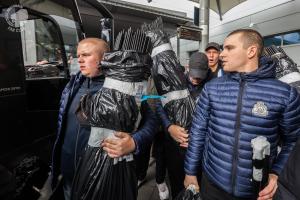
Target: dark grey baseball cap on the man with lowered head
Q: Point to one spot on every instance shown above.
(198, 65)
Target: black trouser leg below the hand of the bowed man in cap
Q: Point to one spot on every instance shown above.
(175, 161)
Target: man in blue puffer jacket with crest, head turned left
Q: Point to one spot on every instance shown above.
(245, 103)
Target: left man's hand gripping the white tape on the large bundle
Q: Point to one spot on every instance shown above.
(120, 146)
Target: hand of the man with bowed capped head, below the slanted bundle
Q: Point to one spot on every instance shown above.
(179, 134)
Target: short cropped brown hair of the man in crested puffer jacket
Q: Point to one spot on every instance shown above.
(250, 37)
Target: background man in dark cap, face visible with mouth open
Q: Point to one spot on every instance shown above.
(212, 52)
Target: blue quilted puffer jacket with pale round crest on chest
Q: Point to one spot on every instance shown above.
(231, 111)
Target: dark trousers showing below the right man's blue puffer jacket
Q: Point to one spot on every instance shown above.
(209, 191)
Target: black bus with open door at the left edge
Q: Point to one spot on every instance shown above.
(38, 40)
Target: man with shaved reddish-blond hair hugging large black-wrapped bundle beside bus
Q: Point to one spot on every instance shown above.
(72, 137)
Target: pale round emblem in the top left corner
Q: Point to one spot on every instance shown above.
(16, 17)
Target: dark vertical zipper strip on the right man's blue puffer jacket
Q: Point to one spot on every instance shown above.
(237, 134)
